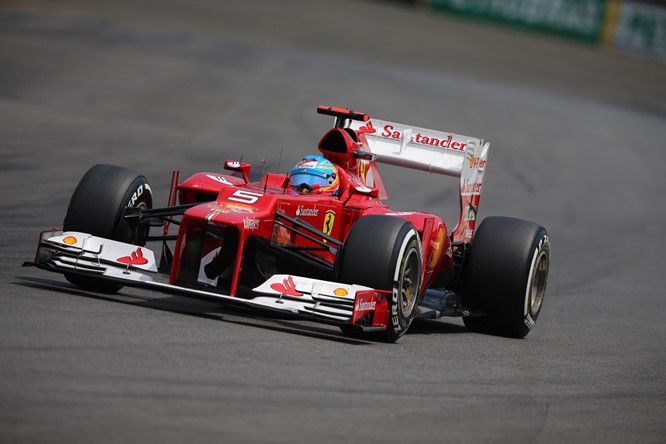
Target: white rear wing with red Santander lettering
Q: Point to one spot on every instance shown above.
(436, 152)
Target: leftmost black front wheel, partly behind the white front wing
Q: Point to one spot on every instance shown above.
(96, 207)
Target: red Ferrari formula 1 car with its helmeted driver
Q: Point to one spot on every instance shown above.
(317, 243)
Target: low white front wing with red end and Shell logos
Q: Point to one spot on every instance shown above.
(329, 302)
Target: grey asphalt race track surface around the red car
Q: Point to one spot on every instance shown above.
(577, 145)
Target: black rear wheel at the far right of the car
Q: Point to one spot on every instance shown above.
(505, 276)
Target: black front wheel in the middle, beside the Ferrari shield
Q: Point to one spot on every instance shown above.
(384, 253)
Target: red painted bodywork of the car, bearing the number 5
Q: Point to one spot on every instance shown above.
(250, 207)
